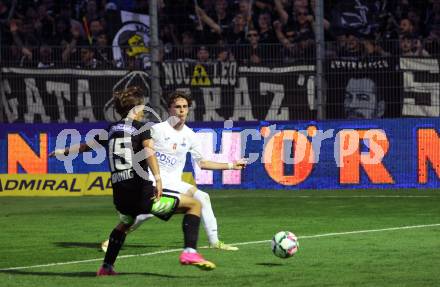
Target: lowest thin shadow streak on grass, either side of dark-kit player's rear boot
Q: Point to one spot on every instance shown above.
(86, 274)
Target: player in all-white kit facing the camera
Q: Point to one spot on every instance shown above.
(173, 139)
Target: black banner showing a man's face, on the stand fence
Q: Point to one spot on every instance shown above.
(364, 88)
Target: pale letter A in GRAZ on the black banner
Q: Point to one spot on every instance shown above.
(242, 102)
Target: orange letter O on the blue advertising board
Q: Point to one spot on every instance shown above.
(274, 162)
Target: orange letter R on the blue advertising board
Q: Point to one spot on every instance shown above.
(351, 159)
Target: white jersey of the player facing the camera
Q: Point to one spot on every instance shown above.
(171, 148)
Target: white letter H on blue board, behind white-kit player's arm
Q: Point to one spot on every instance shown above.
(230, 151)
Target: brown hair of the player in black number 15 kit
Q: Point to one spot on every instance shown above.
(127, 99)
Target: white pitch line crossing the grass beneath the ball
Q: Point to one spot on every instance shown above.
(240, 243)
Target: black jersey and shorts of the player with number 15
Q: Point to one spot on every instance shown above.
(132, 192)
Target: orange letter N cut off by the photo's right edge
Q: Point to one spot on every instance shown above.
(428, 149)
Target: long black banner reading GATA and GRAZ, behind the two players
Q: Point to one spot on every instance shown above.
(221, 91)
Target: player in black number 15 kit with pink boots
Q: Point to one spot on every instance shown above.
(130, 152)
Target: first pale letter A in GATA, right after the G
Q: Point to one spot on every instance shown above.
(34, 103)
